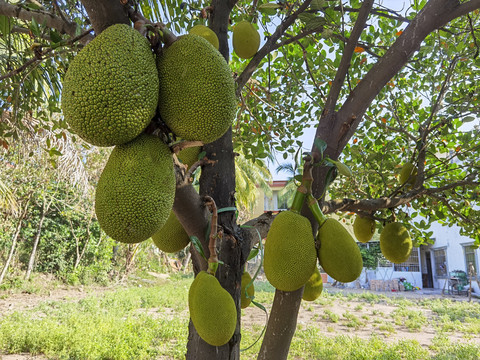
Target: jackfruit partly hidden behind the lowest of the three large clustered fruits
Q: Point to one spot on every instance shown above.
(172, 237)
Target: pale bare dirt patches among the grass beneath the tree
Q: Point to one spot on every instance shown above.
(310, 313)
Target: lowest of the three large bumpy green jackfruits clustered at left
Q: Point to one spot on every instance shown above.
(135, 192)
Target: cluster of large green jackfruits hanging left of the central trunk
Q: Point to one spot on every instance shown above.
(112, 90)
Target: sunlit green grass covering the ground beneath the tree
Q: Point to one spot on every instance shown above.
(151, 322)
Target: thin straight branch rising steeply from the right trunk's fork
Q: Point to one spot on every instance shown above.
(348, 51)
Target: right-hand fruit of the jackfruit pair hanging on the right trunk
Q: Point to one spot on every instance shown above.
(338, 254)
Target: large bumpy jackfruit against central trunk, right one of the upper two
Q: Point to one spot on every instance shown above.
(197, 91)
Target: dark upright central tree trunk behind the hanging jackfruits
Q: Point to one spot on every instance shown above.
(215, 182)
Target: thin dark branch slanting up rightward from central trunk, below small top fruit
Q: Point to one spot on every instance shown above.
(268, 47)
